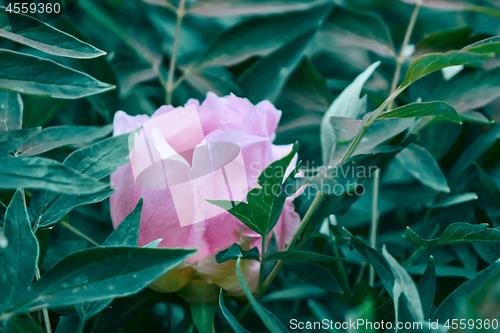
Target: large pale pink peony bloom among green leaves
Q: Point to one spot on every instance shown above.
(228, 119)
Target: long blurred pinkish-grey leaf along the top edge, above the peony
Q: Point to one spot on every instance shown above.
(217, 8)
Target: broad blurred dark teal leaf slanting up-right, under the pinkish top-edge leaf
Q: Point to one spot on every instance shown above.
(259, 36)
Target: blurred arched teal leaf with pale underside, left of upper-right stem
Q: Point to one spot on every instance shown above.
(355, 28)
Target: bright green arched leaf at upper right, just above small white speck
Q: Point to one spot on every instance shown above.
(430, 63)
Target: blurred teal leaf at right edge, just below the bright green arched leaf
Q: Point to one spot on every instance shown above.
(470, 90)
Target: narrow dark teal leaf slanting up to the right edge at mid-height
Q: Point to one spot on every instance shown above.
(473, 151)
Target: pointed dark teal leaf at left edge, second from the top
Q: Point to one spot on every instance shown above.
(31, 75)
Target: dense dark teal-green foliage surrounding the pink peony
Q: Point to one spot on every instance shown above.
(438, 191)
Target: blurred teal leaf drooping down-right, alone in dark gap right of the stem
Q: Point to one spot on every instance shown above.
(420, 164)
